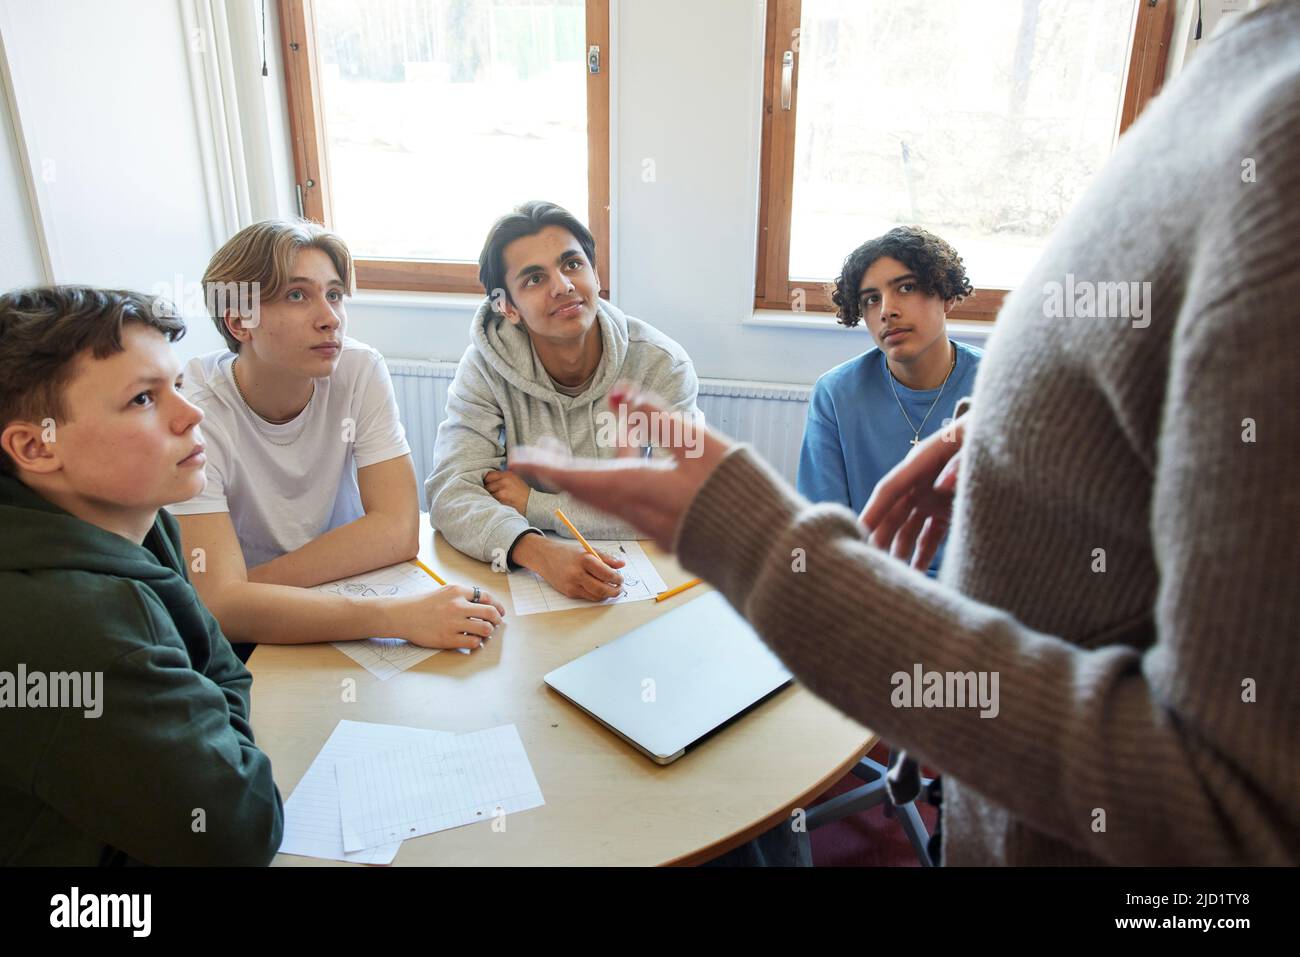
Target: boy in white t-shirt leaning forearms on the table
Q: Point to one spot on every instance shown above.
(310, 477)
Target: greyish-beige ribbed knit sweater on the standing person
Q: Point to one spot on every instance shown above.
(1126, 542)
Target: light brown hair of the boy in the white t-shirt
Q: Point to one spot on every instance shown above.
(265, 254)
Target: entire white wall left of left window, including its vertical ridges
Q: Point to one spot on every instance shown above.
(122, 106)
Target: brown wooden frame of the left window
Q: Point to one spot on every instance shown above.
(311, 158)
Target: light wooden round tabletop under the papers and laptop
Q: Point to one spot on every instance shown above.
(606, 803)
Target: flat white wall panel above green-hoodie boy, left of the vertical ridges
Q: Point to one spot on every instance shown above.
(102, 92)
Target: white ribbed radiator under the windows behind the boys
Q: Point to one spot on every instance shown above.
(766, 415)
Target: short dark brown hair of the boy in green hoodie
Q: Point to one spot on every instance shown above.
(42, 332)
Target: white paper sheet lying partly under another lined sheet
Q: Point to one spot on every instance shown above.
(314, 826)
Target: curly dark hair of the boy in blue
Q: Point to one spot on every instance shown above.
(938, 269)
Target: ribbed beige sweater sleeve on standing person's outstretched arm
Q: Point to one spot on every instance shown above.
(1071, 720)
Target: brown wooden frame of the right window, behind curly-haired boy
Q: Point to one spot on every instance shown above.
(1149, 53)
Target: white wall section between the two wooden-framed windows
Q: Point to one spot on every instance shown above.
(691, 101)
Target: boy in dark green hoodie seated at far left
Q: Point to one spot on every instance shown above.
(124, 713)
